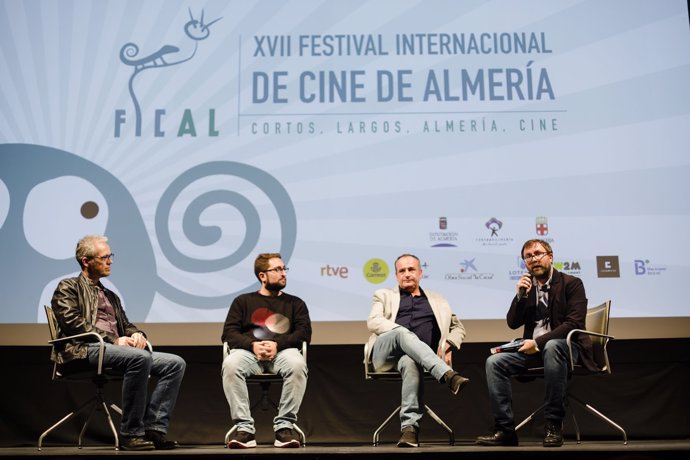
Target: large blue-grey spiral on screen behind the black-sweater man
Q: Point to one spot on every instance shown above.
(203, 235)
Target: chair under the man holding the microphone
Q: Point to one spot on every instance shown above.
(597, 327)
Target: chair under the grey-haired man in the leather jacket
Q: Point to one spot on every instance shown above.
(77, 372)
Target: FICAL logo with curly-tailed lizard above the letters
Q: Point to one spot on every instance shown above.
(195, 30)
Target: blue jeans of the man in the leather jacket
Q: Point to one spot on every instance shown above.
(137, 365)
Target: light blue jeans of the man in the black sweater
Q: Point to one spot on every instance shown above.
(239, 364)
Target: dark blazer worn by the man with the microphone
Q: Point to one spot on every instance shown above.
(568, 310)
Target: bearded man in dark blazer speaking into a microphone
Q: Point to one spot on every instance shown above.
(548, 304)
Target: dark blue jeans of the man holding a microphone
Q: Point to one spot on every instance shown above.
(501, 366)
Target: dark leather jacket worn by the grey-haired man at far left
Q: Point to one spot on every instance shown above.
(75, 304)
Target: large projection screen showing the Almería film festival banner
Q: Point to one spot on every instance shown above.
(196, 135)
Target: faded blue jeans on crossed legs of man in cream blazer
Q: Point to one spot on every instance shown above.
(401, 349)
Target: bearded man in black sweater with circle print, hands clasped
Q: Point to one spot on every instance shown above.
(264, 331)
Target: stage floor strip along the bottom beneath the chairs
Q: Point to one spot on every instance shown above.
(638, 450)
